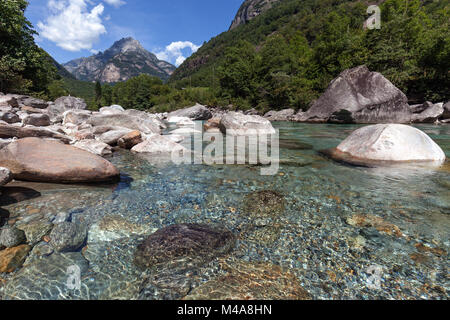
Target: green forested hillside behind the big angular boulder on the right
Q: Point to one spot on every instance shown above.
(286, 56)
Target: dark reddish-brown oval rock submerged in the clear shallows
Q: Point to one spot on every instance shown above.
(185, 243)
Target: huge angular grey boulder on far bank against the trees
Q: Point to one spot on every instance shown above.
(360, 96)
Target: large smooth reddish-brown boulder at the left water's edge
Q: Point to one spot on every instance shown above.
(33, 159)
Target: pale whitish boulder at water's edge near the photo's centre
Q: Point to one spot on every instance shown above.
(238, 124)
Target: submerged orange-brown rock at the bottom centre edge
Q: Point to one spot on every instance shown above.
(251, 281)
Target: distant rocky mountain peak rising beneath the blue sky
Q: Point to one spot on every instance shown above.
(124, 60)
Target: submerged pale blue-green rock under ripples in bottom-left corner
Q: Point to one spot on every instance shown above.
(47, 278)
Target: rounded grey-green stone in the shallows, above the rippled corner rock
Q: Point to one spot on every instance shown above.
(68, 237)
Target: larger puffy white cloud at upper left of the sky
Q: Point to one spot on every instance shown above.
(71, 25)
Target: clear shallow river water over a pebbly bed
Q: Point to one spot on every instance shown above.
(338, 222)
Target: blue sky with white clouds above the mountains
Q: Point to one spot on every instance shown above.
(172, 29)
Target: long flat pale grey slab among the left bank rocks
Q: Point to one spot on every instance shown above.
(144, 125)
